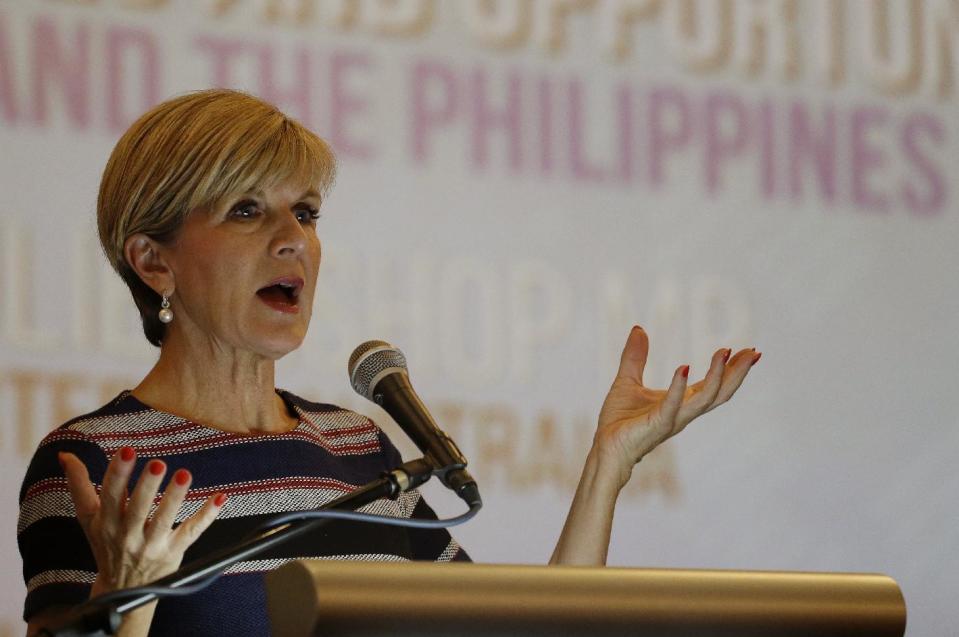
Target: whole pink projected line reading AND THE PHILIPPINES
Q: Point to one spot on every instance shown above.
(539, 124)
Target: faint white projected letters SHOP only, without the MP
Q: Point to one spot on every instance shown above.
(475, 322)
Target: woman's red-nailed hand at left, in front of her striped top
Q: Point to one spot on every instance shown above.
(131, 546)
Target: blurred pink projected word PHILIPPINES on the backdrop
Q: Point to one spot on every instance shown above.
(854, 155)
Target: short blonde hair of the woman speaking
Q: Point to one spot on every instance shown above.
(191, 152)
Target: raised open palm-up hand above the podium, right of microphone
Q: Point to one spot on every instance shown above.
(635, 419)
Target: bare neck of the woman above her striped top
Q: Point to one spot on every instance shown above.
(215, 386)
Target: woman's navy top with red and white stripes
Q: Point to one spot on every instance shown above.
(330, 452)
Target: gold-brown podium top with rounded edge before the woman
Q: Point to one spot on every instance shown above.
(367, 599)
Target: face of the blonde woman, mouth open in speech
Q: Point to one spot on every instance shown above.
(245, 270)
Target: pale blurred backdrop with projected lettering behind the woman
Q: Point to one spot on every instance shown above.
(520, 182)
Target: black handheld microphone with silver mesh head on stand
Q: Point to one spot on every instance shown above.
(378, 373)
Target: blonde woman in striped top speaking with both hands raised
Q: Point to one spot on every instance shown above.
(207, 209)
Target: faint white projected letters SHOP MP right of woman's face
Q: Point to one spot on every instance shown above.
(484, 324)
